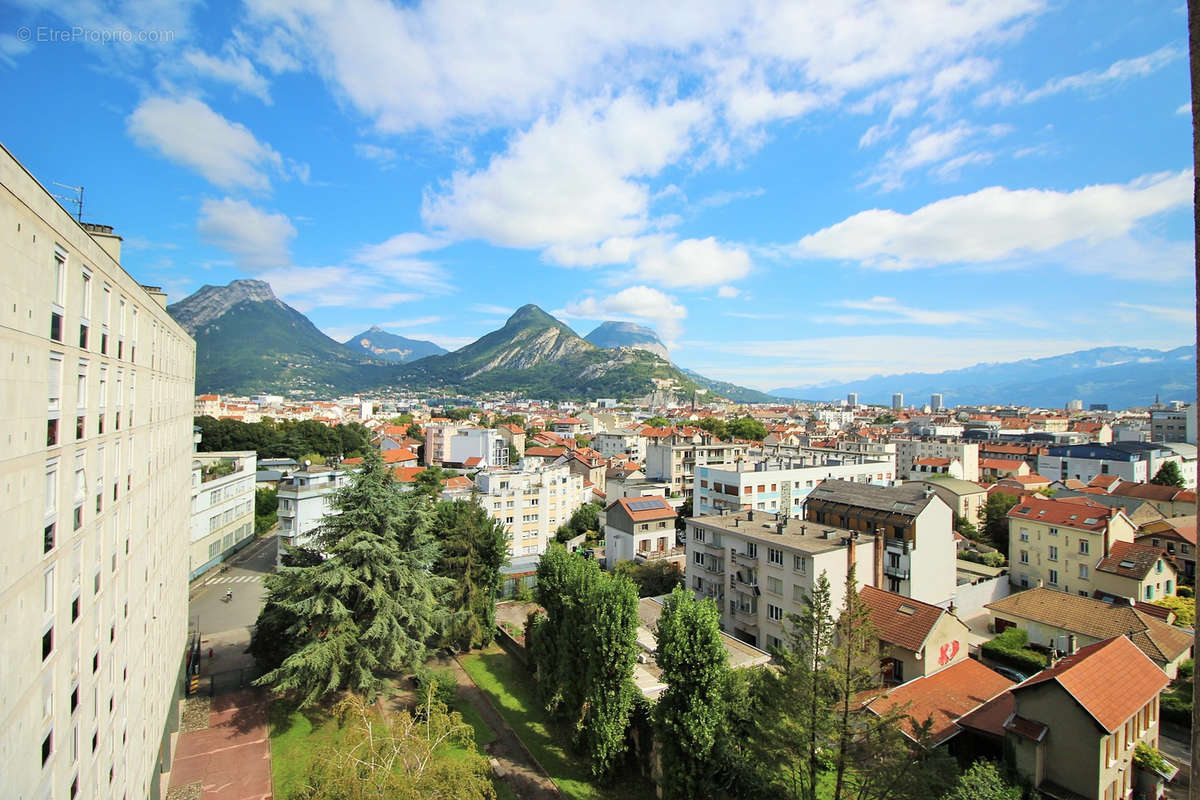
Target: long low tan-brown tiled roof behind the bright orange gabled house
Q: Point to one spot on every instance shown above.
(1097, 619)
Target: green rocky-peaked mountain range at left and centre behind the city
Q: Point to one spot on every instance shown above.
(249, 341)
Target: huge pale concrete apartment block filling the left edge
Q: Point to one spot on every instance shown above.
(98, 393)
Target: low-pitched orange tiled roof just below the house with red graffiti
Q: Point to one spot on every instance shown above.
(945, 696)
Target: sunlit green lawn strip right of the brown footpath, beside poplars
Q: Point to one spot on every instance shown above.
(511, 689)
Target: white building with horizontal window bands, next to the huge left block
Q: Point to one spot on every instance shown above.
(223, 507)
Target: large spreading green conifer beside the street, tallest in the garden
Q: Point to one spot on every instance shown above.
(371, 606)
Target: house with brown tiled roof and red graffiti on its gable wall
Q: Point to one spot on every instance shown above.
(917, 639)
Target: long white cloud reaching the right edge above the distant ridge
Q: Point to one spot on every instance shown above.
(998, 224)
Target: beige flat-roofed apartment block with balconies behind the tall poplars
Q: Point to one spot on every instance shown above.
(761, 567)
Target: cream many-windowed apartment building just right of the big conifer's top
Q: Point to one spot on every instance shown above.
(532, 502)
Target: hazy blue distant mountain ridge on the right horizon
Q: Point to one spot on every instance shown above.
(1119, 376)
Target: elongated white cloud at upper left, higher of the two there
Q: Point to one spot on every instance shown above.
(190, 134)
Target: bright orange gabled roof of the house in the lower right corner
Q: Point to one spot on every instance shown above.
(1111, 679)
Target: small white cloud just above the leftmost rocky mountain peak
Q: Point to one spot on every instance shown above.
(256, 239)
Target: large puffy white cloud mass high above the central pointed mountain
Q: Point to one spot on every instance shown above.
(572, 179)
